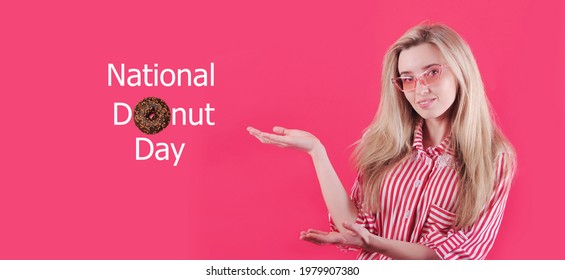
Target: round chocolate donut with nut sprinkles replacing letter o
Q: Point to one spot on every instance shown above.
(152, 115)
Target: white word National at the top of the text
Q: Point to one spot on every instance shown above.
(152, 77)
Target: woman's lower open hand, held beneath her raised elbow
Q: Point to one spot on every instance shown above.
(354, 236)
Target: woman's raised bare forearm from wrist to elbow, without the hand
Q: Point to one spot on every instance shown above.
(337, 201)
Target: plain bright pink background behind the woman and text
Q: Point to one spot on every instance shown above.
(70, 187)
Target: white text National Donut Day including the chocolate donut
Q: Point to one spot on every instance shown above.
(151, 114)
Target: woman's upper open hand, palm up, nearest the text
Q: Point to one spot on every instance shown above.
(289, 138)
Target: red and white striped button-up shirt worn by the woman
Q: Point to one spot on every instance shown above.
(418, 200)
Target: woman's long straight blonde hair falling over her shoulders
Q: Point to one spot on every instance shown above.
(475, 137)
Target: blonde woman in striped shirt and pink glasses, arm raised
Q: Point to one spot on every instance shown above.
(434, 170)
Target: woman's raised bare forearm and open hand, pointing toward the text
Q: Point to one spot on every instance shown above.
(337, 201)
